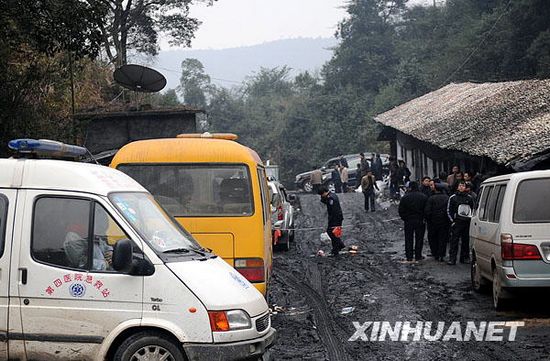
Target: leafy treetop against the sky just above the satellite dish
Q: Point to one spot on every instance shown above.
(137, 24)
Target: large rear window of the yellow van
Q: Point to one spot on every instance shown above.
(196, 190)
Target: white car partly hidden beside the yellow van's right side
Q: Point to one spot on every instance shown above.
(282, 216)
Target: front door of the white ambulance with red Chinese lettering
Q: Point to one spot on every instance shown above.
(70, 296)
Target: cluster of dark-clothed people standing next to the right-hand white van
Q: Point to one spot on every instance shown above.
(442, 206)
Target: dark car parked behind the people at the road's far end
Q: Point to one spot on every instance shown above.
(303, 182)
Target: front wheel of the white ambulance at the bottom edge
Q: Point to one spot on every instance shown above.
(148, 345)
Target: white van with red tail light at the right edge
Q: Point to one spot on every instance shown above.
(510, 234)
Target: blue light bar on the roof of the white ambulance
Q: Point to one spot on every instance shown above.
(46, 147)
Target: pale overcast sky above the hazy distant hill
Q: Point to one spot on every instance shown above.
(234, 23)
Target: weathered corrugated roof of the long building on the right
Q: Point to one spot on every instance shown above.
(507, 121)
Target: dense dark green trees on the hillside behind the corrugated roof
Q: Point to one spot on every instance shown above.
(388, 54)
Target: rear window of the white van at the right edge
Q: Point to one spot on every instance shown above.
(532, 203)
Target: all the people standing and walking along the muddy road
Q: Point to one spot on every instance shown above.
(442, 206)
